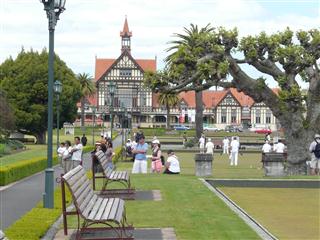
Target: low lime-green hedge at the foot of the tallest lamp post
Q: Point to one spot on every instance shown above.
(35, 223)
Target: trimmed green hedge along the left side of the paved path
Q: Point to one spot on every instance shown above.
(22, 169)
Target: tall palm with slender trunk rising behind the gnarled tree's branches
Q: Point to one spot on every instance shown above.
(191, 41)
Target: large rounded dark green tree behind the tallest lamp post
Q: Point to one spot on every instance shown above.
(25, 82)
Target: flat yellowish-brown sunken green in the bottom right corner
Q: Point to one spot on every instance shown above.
(288, 213)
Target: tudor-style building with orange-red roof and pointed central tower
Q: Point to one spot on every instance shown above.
(222, 108)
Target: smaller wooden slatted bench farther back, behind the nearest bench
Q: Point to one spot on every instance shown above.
(110, 176)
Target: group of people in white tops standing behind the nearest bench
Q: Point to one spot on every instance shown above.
(70, 156)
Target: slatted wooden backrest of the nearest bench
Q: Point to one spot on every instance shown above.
(80, 188)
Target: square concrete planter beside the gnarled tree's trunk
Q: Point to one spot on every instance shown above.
(273, 164)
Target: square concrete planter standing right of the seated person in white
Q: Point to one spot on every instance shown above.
(203, 164)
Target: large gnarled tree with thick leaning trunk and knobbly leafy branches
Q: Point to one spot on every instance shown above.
(284, 57)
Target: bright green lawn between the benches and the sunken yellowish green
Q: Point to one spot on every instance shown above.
(187, 206)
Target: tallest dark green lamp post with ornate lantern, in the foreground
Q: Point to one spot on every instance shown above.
(53, 8)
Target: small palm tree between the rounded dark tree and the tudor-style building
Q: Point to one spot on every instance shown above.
(88, 88)
